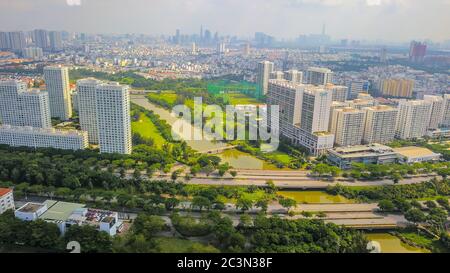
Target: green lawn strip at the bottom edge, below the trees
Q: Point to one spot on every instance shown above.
(175, 245)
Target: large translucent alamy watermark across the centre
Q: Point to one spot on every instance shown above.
(241, 122)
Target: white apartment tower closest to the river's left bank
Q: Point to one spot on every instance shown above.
(113, 118)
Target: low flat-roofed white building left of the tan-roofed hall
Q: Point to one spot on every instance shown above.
(343, 157)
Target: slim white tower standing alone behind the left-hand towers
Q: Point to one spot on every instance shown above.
(57, 82)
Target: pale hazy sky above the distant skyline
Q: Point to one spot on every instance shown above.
(392, 20)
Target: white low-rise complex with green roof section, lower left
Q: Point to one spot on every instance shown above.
(65, 214)
